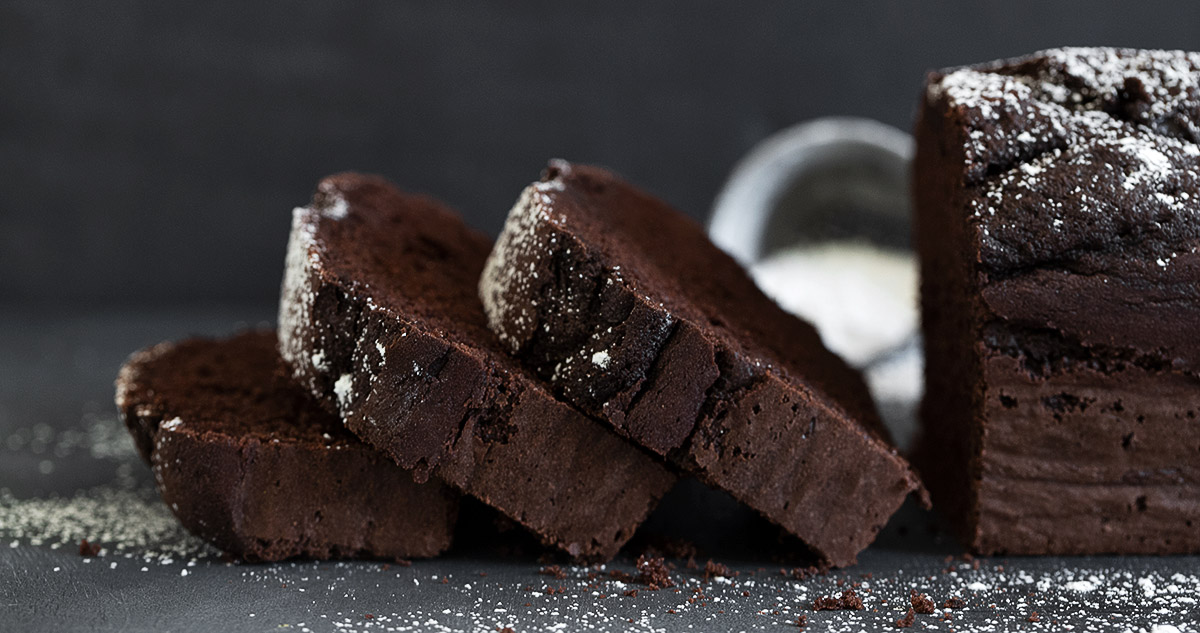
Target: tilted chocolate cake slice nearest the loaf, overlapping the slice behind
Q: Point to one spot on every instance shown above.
(634, 316)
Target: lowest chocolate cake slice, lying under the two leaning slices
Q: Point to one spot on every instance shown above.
(250, 463)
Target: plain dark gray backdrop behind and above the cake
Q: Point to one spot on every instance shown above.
(152, 152)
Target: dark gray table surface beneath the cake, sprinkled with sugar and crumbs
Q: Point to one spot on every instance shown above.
(68, 472)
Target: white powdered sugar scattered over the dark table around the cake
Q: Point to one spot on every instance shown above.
(141, 545)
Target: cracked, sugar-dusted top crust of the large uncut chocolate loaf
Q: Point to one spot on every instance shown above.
(1076, 154)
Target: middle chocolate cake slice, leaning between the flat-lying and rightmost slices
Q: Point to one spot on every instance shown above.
(380, 318)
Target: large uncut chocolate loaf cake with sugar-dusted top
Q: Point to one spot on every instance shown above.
(1058, 203)
